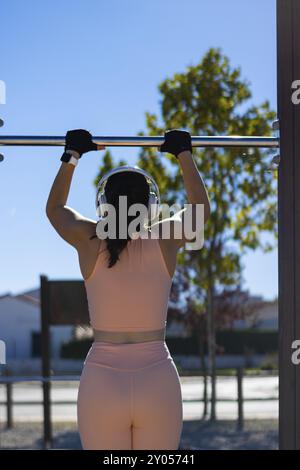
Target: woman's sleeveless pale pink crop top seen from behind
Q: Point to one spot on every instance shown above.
(132, 295)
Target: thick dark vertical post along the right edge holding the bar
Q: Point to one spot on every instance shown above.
(288, 70)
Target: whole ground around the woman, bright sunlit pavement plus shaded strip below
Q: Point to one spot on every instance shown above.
(260, 411)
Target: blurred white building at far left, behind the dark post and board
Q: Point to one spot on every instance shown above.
(20, 327)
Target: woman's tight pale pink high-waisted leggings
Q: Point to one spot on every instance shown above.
(129, 397)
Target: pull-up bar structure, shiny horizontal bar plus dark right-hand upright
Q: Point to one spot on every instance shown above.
(288, 111)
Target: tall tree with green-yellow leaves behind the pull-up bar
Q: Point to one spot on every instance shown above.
(211, 98)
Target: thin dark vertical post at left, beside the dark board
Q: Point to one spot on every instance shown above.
(45, 320)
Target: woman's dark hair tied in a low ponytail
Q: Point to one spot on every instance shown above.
(135, 187)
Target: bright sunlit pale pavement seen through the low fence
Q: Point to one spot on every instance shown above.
(260, 393)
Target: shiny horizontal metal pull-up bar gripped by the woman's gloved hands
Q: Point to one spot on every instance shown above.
(145, 141)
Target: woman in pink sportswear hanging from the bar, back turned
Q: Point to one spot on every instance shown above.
(129, 394)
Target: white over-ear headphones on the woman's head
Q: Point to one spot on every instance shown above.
(154, 196)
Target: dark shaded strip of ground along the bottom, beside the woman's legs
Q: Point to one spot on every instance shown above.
(197, 435)
